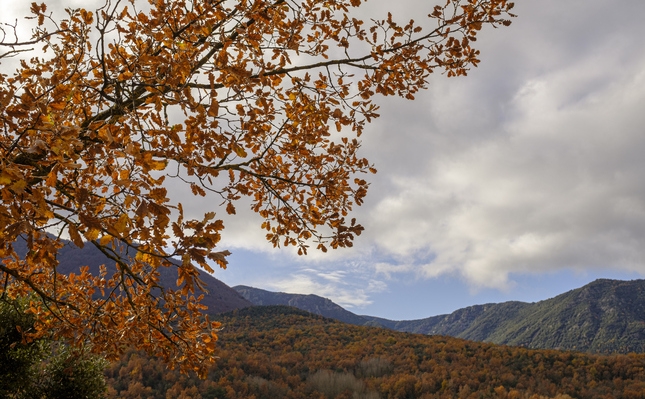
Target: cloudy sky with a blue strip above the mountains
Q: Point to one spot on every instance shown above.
(521, 181)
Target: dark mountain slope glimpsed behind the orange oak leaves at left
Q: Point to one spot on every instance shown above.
(219, 297)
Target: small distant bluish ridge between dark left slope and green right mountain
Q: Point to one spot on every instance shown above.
(310, 303)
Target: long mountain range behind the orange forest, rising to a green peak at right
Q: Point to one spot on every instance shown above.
(605, 316)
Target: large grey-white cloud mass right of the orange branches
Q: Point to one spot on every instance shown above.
(531, 163)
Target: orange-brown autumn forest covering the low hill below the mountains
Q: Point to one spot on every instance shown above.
(279, 352)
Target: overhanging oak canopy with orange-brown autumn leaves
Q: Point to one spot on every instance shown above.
(233, 99)
